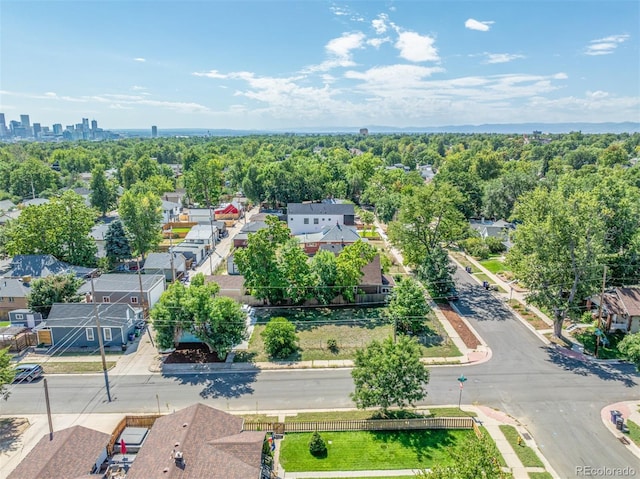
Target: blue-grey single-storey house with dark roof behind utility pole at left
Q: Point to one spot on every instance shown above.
(73, 325)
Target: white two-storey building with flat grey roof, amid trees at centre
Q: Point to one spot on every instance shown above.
(313, 217)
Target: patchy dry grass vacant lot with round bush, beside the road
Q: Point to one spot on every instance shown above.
(352, 329)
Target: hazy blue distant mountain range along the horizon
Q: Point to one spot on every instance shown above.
(503, 128)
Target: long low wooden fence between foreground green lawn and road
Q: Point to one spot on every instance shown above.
(363, 425)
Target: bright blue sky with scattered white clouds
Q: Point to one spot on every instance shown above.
(306, 63)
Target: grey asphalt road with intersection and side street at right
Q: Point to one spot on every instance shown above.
(557, 398)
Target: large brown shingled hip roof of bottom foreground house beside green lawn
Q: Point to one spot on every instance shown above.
(197, 442)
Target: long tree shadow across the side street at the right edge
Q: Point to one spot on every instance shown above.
(624, 373)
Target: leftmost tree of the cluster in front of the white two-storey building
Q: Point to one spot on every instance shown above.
(258, 262)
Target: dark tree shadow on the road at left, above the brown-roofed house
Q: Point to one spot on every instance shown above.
(219, 384)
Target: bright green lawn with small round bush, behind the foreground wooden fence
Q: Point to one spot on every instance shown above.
(363, 450)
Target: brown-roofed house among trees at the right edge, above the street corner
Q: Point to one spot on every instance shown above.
(620, 310)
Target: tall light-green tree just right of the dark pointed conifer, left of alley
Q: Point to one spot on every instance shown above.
(142, 218)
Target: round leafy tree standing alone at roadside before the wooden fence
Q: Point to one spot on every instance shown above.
(389, 374)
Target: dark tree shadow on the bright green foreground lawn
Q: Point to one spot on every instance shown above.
(422, 443)
